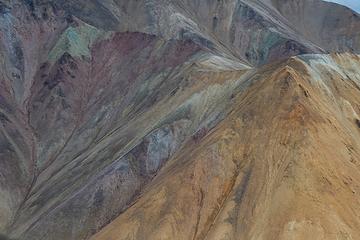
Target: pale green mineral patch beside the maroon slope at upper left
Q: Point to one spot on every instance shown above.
(76, 41)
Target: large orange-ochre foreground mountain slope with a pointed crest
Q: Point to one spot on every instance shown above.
(283, 165)
